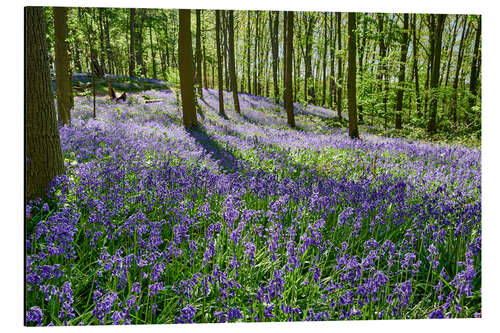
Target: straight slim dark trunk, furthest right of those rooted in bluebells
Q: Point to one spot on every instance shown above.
(351, 80)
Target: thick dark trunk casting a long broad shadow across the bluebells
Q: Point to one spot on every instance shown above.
(186, 69)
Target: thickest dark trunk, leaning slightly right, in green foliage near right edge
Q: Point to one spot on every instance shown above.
(436, 56)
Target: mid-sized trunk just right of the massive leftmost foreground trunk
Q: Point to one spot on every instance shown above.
(64, 85)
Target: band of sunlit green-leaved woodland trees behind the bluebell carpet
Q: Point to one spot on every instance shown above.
(389, 70)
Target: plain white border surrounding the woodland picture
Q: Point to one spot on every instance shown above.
(12, 74)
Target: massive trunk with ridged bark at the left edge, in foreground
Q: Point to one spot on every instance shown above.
(44, 159)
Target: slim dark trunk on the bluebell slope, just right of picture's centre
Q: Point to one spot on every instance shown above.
(287, 98)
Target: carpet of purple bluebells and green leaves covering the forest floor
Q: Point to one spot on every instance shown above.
(245, 219)
